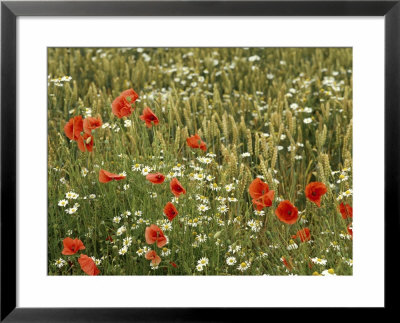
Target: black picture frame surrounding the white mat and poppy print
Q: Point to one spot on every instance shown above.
(10, 10)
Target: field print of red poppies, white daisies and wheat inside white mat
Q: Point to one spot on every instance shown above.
(200, 161)
